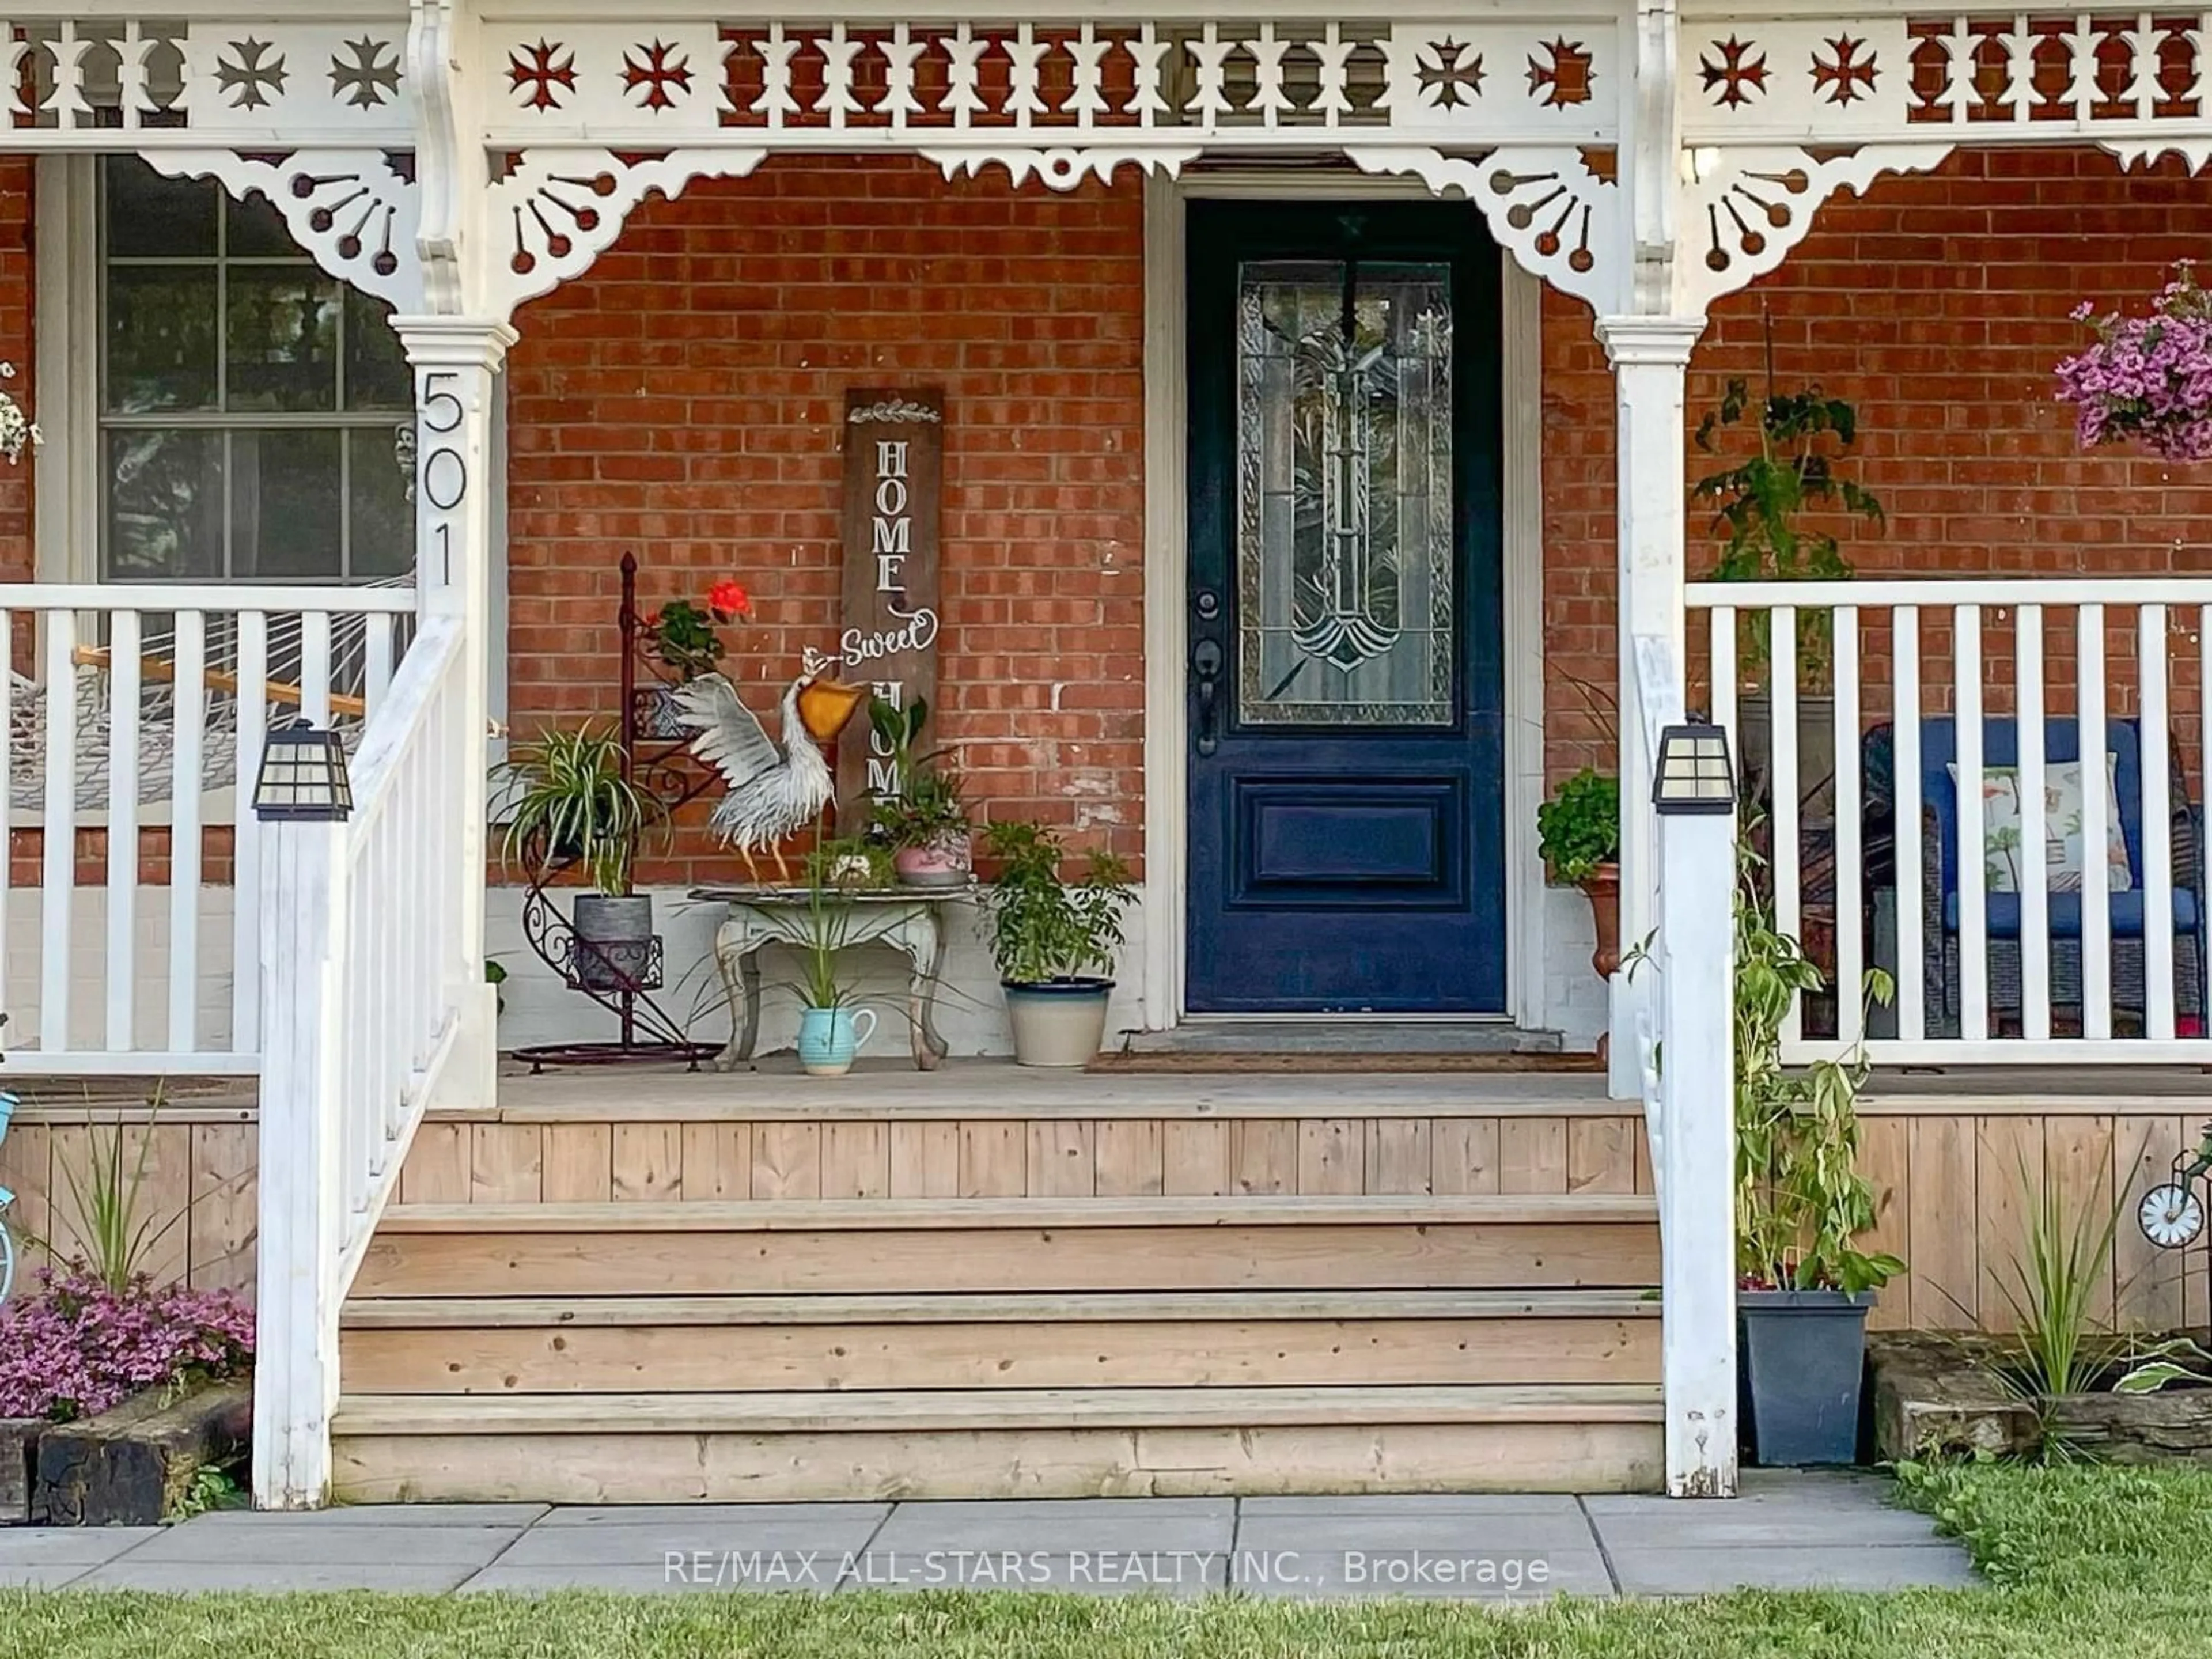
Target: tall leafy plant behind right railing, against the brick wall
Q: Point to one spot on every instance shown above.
(1757, 508)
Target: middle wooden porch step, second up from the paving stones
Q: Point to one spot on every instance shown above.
(966, 1342)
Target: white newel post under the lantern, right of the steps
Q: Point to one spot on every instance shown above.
(1698, 1151)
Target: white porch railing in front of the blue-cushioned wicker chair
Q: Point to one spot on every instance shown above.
(1879, 859)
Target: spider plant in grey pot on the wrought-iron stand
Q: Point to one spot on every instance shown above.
(570, 802)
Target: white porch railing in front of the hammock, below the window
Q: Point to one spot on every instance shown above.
(138, 707)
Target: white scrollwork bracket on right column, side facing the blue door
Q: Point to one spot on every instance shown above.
(1561, 220)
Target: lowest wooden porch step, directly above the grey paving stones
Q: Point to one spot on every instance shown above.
(997, 1443)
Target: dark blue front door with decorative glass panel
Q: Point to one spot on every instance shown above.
(1346, 620)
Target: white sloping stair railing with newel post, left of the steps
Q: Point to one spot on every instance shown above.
(368, 954)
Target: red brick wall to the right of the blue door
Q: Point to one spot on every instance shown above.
(1939, 306)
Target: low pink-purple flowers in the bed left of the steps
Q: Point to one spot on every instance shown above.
(79, 1348)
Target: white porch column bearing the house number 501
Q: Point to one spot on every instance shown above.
(457, 364)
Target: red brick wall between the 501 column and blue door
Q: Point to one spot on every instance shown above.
(685, 399)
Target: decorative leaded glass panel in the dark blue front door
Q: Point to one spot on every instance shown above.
(1344, 494)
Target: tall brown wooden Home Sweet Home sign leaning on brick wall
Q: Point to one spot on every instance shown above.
(895, 490)
